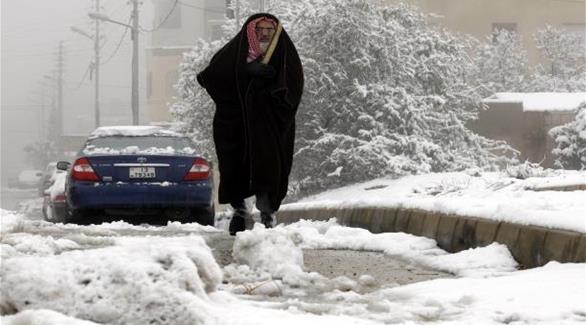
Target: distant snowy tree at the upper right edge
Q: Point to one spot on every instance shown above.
(565, 67)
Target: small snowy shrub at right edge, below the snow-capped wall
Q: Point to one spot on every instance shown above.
(570, 141)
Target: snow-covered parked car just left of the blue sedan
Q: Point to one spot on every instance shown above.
(54, 205)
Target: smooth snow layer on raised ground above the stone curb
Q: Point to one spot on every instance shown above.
(486, 195)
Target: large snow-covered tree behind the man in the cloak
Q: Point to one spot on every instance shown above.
(385, 94)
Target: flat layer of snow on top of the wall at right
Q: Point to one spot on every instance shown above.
(540, 101)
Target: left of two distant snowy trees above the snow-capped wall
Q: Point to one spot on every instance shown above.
(502, 64)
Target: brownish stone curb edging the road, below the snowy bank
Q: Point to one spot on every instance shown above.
(531, 246)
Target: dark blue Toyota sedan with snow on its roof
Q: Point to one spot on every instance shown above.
(137, 172)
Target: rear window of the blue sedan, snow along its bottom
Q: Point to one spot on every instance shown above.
(139, 145)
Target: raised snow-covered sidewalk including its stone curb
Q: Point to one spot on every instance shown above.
(536, 221)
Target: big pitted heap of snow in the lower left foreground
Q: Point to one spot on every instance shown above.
(137, 281)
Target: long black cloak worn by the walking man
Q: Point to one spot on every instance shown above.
(254, 122)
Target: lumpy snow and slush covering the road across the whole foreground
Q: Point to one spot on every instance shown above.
(118, 273)
